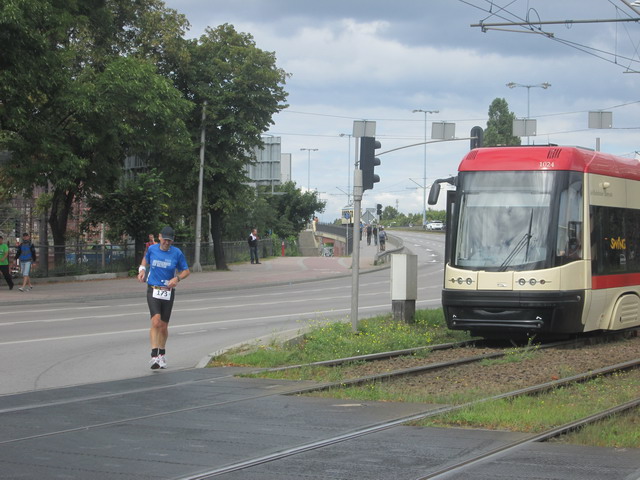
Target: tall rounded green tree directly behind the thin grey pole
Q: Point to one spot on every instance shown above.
(239, 88)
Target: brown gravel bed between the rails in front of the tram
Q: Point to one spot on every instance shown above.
(543, 365)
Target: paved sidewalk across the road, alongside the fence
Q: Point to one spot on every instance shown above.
(271, 271)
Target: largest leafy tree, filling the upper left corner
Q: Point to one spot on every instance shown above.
(80, 91)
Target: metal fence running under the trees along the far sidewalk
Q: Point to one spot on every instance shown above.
(84, 259)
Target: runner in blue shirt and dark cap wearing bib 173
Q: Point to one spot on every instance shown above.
(167, 267)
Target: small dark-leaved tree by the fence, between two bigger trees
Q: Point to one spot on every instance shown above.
(137, 207)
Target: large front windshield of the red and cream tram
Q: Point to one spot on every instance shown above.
(519, 220)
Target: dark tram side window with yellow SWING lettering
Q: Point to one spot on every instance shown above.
(615, 238)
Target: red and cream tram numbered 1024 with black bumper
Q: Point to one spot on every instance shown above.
(542, 240)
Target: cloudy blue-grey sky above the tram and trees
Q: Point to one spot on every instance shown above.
(379, 60)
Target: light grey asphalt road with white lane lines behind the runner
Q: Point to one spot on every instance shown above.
(71, 343)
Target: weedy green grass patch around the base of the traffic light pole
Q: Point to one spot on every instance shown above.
(337, 340)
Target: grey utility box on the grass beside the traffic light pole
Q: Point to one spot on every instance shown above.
(404, 286)
